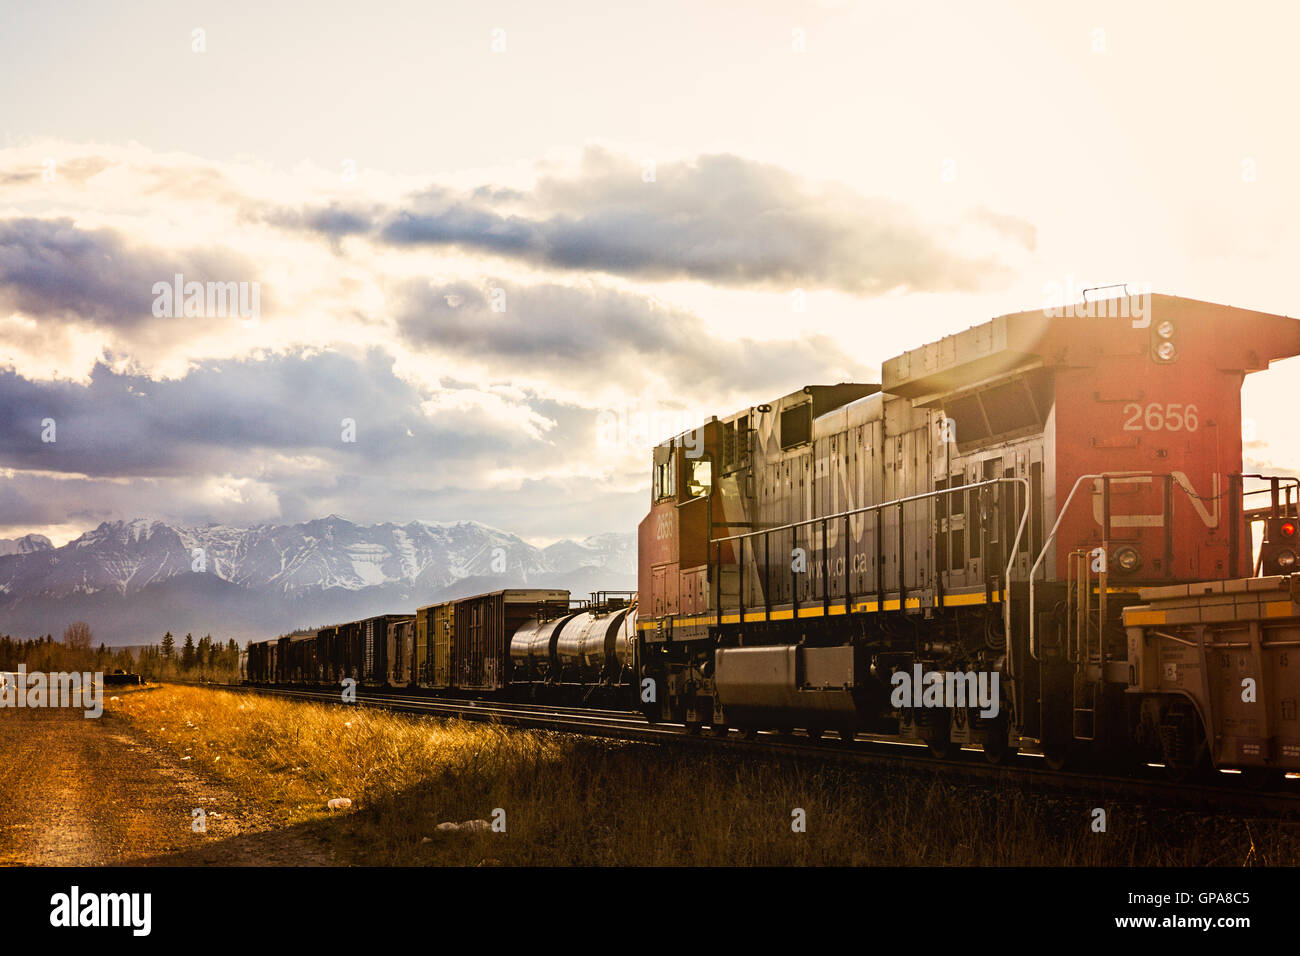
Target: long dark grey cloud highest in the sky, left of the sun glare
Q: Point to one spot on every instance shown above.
(720, 219)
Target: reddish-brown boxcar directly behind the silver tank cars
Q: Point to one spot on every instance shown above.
(482, 629)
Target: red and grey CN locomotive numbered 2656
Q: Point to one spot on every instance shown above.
(989, 511)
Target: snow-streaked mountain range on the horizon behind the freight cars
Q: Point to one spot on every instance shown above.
(135, 581)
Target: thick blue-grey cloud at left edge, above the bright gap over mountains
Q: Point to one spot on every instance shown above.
(129, 426)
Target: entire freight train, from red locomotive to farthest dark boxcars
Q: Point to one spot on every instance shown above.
(1030, 537)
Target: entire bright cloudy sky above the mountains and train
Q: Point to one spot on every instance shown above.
(480, 231)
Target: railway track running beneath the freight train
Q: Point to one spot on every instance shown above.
(967, 765)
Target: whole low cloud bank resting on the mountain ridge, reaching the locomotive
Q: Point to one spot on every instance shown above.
(270, 429)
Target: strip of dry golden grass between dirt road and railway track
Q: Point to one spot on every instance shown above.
(579, 802)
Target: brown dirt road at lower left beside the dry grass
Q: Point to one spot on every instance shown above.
(92, 793)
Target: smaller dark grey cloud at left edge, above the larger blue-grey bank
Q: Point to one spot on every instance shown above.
(55, 270)
